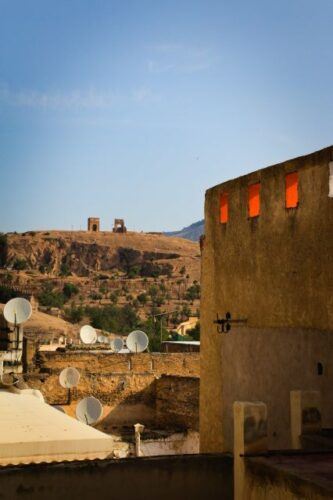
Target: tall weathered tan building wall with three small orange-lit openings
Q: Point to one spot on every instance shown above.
(267, 258)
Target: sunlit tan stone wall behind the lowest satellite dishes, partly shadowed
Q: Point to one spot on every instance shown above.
(127, 385)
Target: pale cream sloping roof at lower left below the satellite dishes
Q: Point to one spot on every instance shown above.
(31, 431)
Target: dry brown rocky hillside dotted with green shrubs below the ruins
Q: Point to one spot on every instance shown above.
(114, 281)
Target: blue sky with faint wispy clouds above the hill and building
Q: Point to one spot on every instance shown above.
(134, 108)
